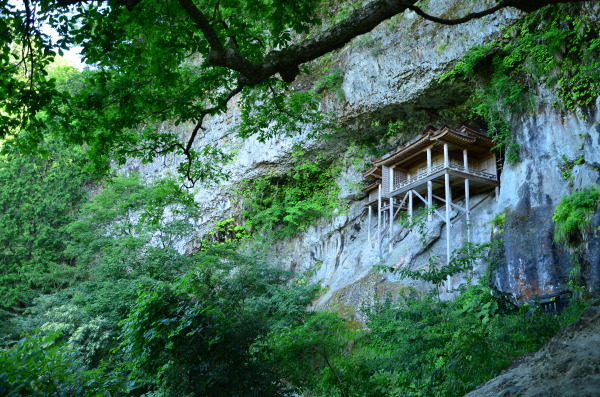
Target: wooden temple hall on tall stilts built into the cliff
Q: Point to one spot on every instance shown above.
(439, 170)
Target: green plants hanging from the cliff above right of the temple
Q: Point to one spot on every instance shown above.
(556, 47)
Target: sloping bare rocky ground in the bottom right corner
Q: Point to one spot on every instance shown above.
(569, 365)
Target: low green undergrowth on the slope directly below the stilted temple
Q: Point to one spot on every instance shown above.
(414, 345)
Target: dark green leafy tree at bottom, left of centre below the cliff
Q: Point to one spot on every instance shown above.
(198, 336)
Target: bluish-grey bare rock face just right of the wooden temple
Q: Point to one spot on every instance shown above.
(530, 191)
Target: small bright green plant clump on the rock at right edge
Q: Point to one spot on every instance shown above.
(572, 216)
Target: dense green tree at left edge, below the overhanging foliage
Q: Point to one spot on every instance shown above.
(39, 197)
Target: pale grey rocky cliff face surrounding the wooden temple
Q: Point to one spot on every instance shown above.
(392, 73)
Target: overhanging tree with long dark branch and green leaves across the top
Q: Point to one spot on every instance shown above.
(176, 61)
